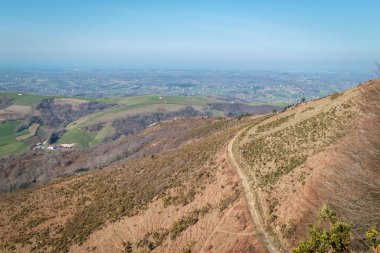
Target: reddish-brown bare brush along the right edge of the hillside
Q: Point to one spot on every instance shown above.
(358, 164)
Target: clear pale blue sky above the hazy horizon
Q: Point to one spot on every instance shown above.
(196, 34)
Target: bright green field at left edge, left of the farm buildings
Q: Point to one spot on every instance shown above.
(8, 142)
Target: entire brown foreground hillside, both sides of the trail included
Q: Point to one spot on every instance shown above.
(174, 186)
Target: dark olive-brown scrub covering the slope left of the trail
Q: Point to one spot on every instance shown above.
(66, 212)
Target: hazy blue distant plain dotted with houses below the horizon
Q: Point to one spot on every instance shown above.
(243, 86)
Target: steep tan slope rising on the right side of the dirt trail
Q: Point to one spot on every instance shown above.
(323, 151)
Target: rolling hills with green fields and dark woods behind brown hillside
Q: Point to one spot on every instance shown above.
(90, 122)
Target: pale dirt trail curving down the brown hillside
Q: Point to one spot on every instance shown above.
(250, 200)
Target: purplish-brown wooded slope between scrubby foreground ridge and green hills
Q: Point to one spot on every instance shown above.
(36, 167)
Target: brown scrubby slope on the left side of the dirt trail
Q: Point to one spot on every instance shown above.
(186, 198)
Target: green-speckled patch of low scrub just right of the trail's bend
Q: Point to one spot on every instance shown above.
(278, 153)
